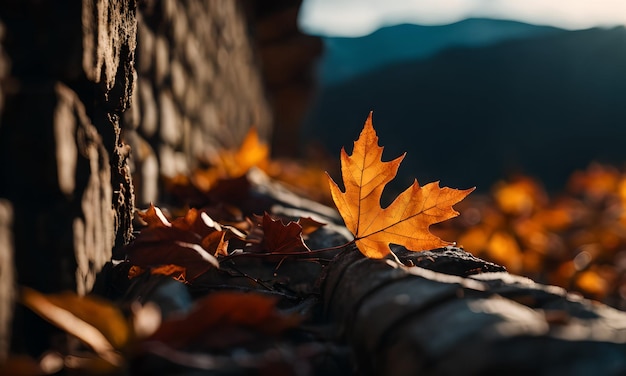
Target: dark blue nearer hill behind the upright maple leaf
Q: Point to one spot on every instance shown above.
(544, 105)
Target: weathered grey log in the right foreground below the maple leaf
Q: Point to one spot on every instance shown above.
(474, 320)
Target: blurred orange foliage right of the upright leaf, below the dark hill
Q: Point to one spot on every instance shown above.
(575, 239)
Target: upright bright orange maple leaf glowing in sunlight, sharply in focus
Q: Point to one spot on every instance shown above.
(406, 220)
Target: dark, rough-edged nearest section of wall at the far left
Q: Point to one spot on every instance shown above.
(66, 75)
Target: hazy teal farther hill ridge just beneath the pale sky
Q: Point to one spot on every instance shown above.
(346, 58)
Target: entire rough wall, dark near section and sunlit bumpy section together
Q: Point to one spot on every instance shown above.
(93, 90)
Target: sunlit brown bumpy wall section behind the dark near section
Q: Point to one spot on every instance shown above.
(198, 88)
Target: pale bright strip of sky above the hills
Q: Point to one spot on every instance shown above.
(353, 18)
